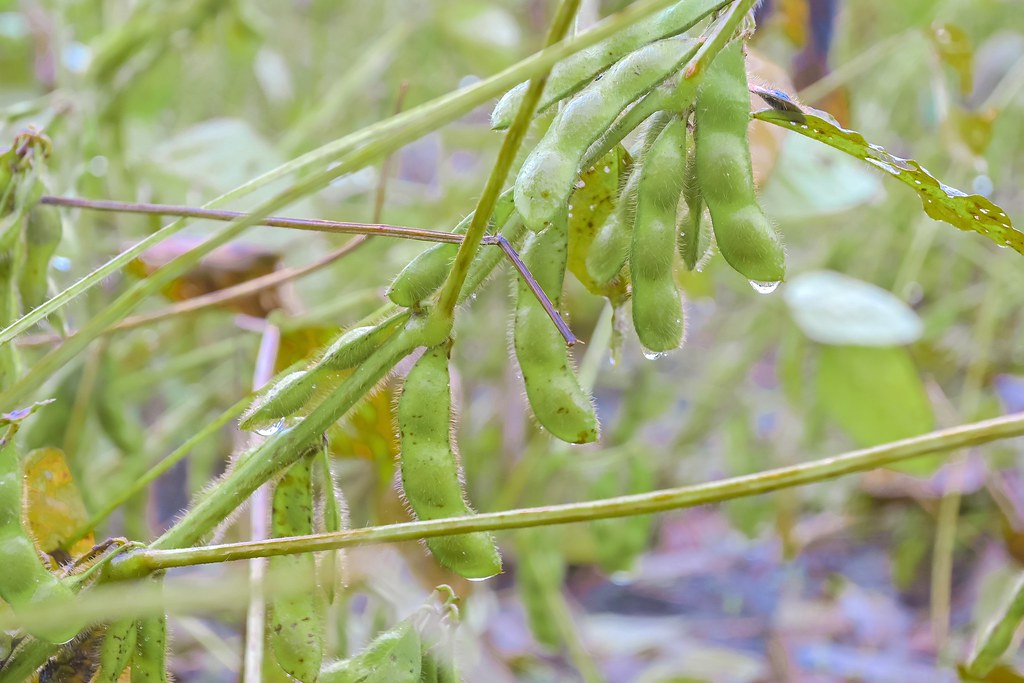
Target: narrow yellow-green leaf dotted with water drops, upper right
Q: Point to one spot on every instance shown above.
(967, 212)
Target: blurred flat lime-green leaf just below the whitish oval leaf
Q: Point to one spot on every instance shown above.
(876, 396)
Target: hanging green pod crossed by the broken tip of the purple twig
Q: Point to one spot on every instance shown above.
(559, 402)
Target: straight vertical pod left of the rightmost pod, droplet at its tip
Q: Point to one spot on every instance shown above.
(658, 311)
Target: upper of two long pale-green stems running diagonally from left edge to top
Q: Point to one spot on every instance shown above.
(373, 142)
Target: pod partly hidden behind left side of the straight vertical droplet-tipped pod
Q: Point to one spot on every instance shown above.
(612, 244)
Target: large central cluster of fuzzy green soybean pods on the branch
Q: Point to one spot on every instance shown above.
(693, 159)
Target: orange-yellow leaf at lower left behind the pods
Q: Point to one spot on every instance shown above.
(54, 507)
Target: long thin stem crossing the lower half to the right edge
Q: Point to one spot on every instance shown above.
(145, 562)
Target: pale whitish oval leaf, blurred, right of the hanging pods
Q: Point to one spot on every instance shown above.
(833, 309)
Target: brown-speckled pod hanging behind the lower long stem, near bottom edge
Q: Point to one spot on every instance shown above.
(296, 626)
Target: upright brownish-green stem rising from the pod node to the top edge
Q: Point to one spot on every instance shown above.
(506, 156)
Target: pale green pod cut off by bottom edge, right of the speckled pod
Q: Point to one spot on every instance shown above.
(394, 657)
